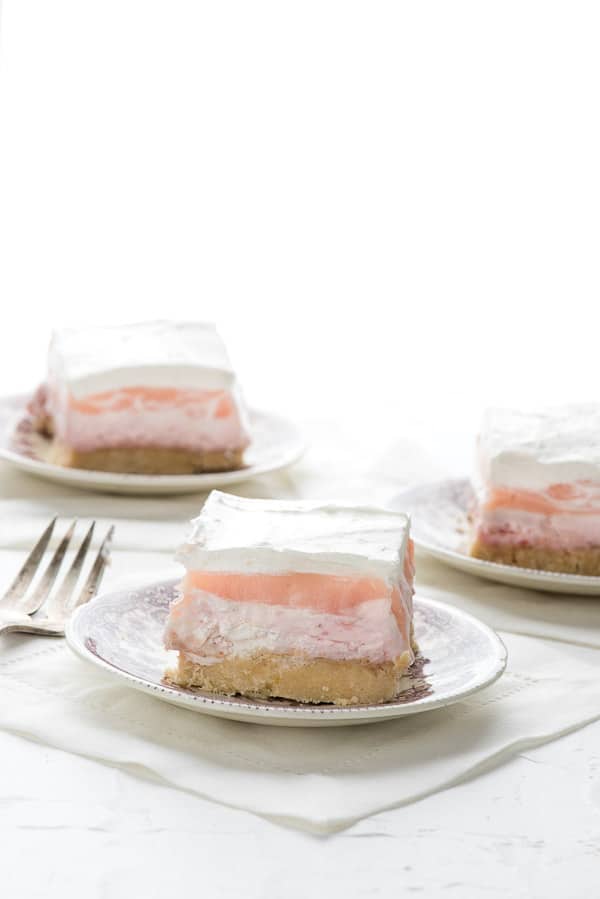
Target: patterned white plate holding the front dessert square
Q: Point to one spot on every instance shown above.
(121, 632)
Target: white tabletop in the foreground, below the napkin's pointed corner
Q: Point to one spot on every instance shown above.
(71, 827)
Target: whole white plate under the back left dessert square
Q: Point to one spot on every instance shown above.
(275, 444)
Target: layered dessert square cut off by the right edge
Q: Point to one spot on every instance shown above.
(538, 489)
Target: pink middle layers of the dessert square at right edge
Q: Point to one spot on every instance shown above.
(563, 516)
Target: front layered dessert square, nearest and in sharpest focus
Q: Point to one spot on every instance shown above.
(299, 600)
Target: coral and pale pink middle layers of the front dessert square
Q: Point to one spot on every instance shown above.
(319, 616)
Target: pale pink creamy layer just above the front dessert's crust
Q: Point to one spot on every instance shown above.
(209, 629)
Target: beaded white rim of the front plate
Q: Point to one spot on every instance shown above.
(245, 708)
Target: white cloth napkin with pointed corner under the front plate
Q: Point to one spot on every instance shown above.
(320, 780)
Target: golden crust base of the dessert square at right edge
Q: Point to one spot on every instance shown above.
(573, 561)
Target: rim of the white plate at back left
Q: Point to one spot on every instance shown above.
(160, 482)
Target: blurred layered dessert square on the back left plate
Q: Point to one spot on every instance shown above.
(151, 398)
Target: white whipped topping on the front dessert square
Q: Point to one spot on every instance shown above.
(274, 536)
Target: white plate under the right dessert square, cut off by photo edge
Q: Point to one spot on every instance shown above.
(440, 526)
